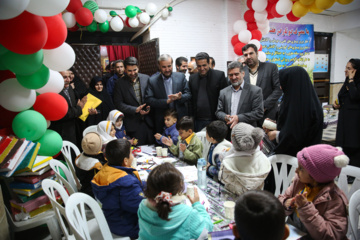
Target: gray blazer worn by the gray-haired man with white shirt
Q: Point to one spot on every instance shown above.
(250, 108)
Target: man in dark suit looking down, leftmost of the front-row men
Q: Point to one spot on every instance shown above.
(129, 98)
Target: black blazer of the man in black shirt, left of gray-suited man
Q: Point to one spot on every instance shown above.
(215, 82)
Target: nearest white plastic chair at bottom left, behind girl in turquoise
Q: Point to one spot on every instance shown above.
(75, 213)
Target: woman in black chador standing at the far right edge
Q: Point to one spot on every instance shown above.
(348, 103)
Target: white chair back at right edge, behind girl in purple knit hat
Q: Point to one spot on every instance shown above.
(342, 181)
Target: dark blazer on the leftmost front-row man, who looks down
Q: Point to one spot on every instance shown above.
(126, 102)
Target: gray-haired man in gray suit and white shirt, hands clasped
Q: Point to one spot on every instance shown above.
(241, 101)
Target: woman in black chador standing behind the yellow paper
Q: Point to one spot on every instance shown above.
(96, 88)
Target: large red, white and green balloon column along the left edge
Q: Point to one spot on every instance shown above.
(32, 51)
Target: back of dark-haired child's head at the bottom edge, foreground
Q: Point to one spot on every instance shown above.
(259, 215)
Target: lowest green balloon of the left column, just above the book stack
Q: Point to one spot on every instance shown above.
(51, 143)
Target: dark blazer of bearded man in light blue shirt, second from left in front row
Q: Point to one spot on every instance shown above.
(156, 97)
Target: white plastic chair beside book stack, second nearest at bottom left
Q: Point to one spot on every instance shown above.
(49, 187)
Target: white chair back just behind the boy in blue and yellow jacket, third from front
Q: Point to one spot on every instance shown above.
(70, 184)
